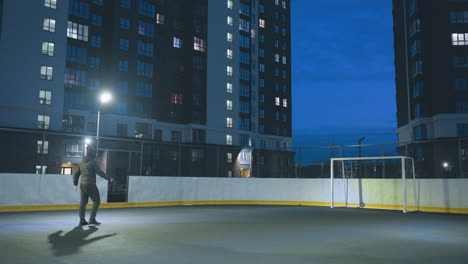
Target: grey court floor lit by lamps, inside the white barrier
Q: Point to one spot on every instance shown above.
(235, 234)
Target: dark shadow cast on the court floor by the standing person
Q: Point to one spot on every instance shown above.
(71, 242)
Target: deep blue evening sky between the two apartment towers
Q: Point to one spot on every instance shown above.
(343, 72)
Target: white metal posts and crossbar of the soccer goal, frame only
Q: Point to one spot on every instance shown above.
(403, 174)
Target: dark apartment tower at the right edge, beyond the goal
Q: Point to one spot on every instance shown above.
(431, 62)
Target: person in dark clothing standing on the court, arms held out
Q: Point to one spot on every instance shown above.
(87, 169)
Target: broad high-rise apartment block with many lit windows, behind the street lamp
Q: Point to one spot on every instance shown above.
(205, 72)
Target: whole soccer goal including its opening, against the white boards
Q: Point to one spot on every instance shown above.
(374, 182)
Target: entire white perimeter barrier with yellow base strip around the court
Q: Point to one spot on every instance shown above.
(30, 192)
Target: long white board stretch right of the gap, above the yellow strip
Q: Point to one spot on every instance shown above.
(449, 193)
